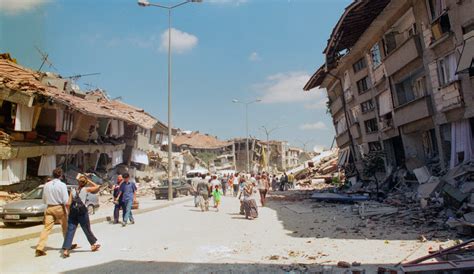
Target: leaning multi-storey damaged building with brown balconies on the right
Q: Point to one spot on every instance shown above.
(399, 79)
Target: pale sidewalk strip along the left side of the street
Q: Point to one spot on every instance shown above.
(24, 232)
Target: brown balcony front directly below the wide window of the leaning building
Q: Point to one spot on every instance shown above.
(412, 111)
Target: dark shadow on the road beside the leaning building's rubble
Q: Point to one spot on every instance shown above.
(307, 218)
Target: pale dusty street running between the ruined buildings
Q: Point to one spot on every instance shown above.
(180, 239)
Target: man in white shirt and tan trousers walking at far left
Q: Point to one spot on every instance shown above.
(55, 197)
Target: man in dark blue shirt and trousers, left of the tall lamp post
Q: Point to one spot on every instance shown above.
(127, 195)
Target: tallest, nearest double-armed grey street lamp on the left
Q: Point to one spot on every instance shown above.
(145, 3)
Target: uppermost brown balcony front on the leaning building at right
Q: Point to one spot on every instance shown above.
(403, 55)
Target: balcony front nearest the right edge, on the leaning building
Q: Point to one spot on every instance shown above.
(448, 97)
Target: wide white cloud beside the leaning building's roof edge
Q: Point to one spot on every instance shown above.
(288, 88)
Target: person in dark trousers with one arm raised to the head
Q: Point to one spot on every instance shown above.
(78, 214)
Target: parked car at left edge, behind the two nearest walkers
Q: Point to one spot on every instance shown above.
(30, 209)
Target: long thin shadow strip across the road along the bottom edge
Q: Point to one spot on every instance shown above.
(122, 266)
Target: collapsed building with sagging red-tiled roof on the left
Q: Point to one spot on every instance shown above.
(47, 122)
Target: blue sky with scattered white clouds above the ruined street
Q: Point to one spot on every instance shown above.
(221, 50)
